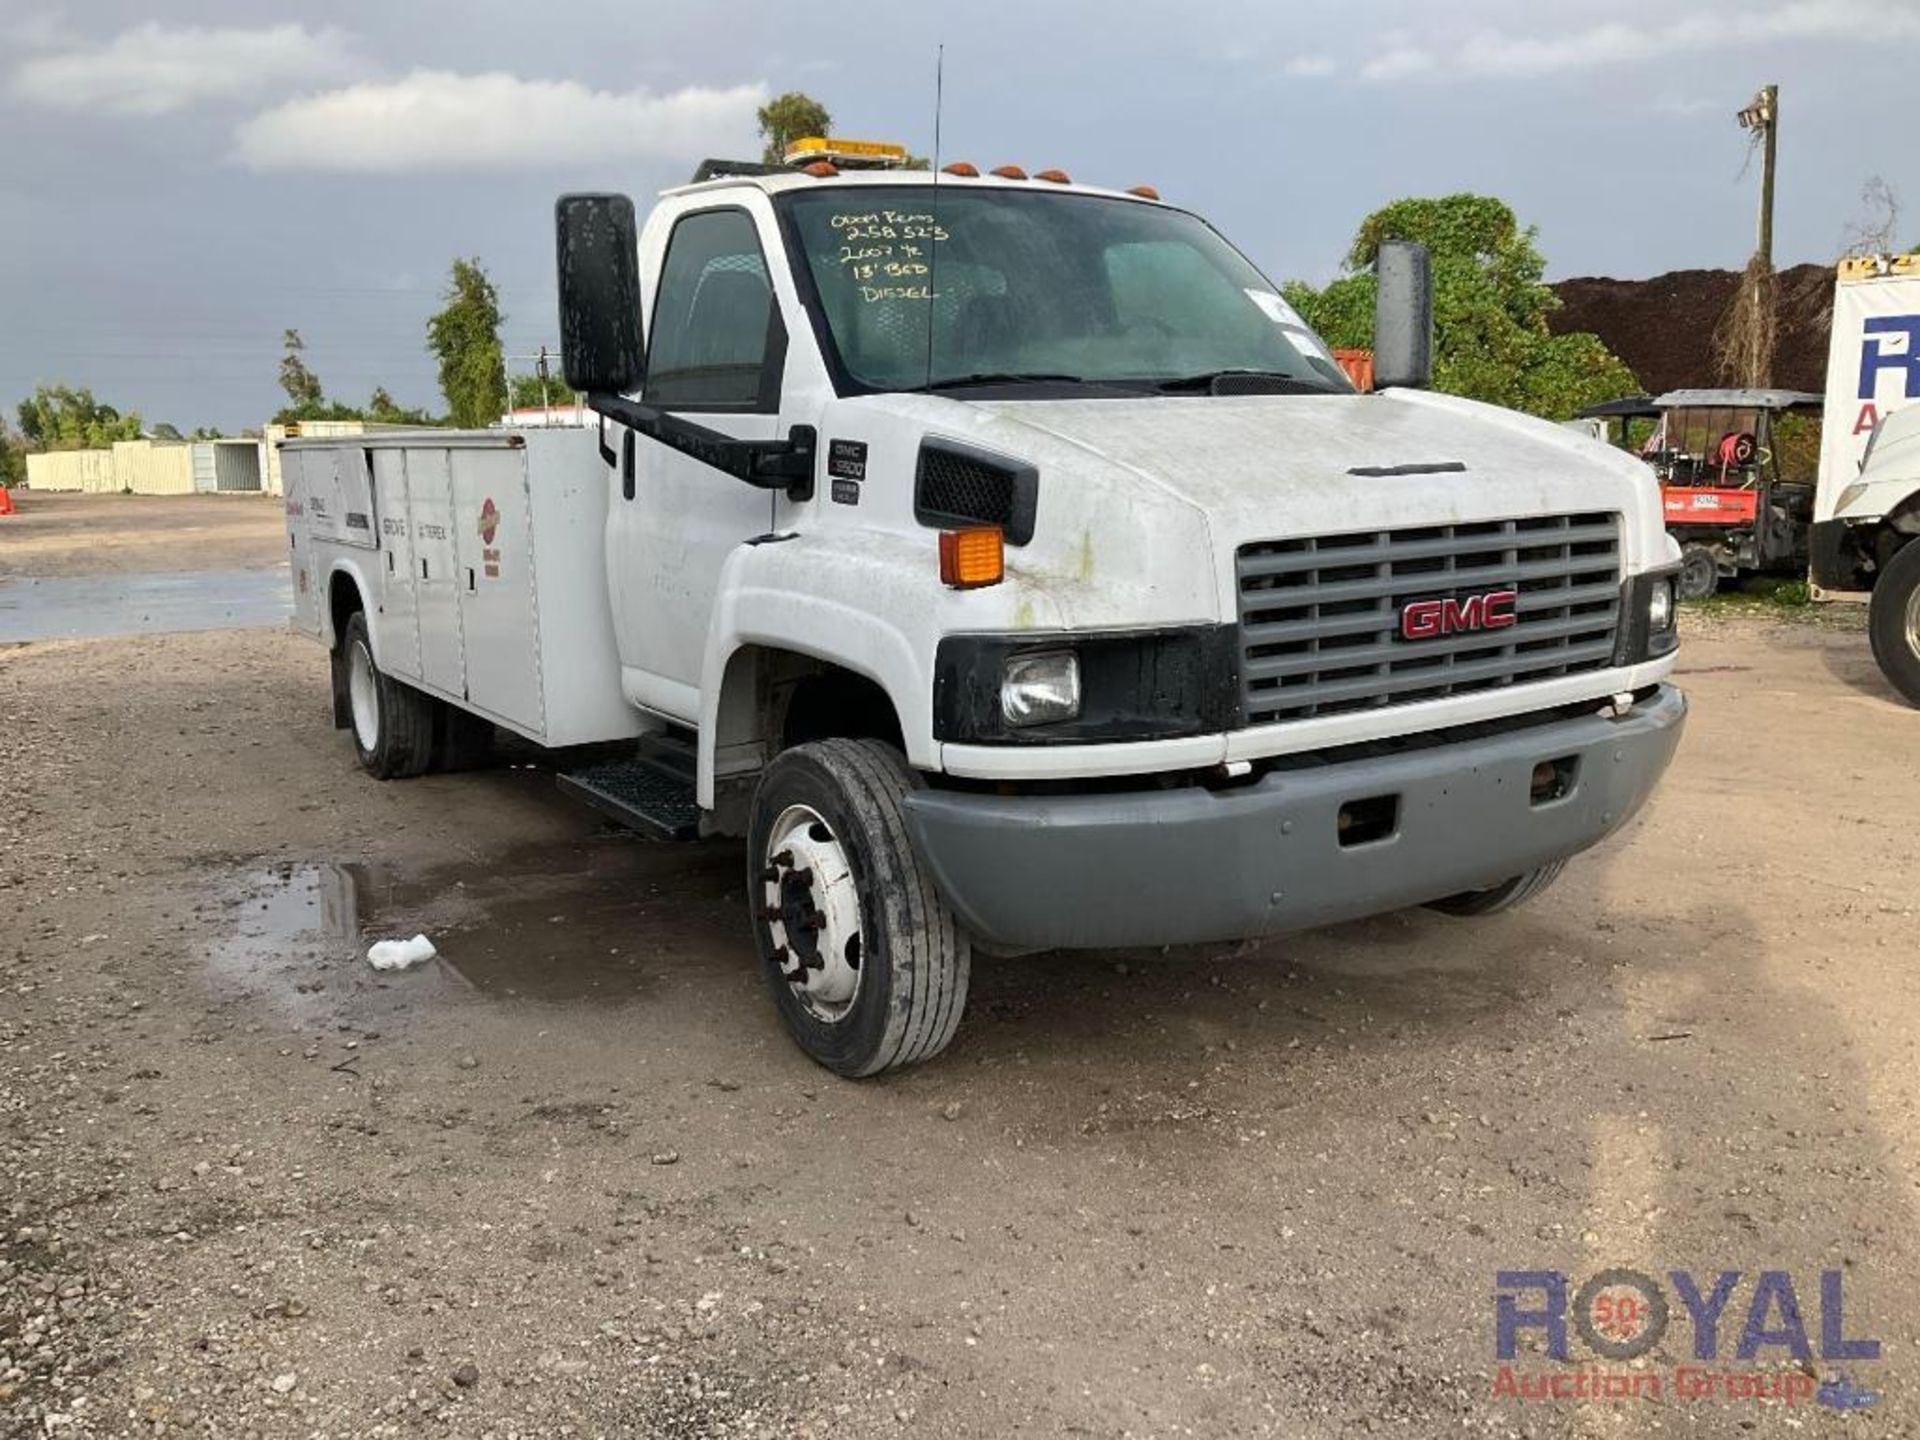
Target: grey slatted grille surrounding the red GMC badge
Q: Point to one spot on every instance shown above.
(1320, 617)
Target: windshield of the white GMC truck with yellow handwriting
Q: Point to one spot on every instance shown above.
(1032, 287)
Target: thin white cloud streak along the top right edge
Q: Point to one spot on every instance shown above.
(1499, 53)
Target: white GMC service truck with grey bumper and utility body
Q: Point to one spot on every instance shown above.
(1013, 569)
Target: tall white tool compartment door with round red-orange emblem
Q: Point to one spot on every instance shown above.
(496, 585)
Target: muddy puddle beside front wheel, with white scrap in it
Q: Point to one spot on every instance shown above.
(588, 923)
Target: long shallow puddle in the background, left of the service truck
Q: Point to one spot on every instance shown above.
(89, 608)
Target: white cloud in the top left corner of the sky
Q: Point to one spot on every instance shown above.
(155, 70)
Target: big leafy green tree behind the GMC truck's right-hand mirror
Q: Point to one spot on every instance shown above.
(1491, 308)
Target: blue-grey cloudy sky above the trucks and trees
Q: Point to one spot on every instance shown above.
(183, 180)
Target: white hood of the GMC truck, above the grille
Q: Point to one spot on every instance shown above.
(1143, 502)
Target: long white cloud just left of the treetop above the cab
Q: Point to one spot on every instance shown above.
(439, 120)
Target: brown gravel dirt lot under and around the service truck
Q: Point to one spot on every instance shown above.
(575, 1182)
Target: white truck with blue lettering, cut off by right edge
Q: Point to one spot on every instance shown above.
(1867, 508)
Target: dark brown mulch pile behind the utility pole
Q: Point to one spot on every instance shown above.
(1664, 327)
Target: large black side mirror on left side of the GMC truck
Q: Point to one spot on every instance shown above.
(598, 252)
